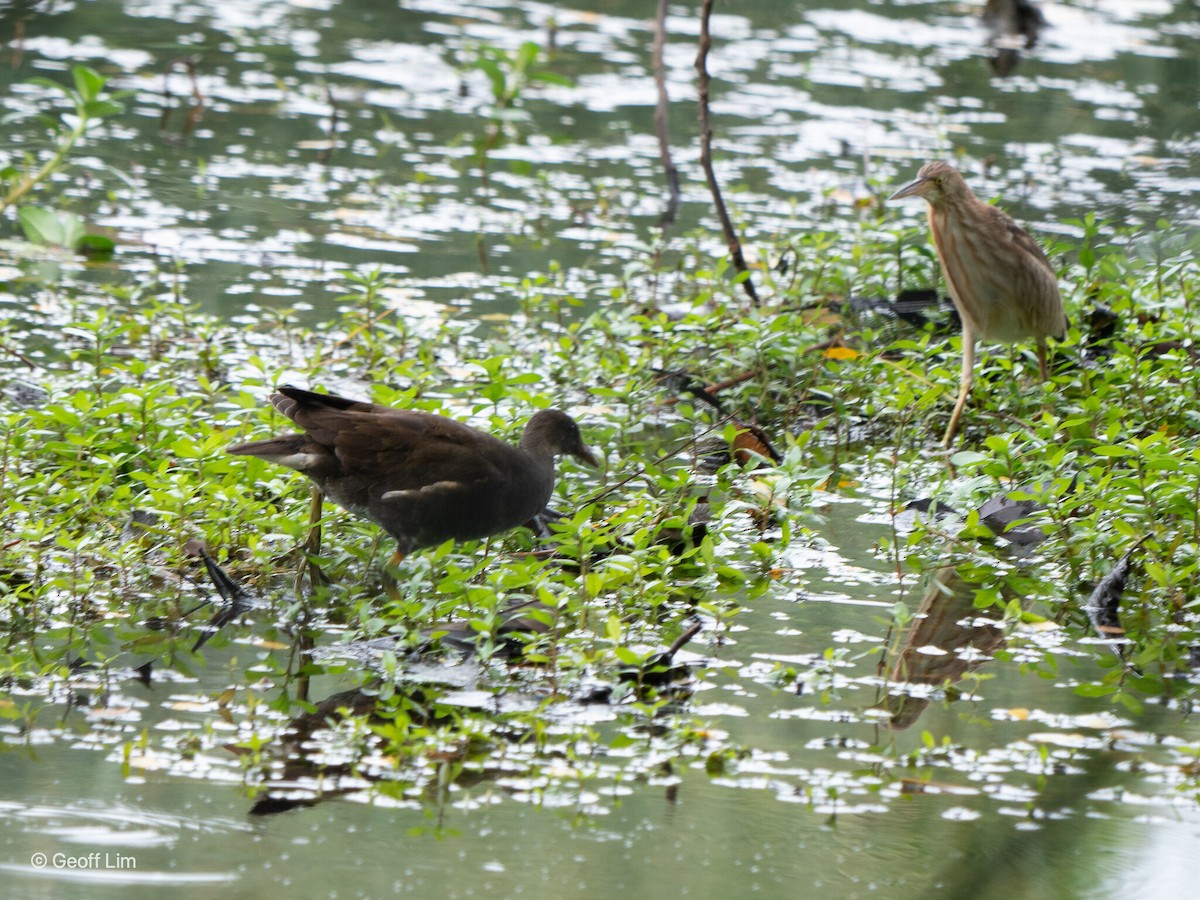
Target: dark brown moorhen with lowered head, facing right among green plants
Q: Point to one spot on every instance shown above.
(424, 478)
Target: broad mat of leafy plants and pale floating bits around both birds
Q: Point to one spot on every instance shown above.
(610, 650)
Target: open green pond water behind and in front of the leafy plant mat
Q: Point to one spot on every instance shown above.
(814, 103)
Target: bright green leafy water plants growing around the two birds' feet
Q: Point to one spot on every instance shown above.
(111, 475)
